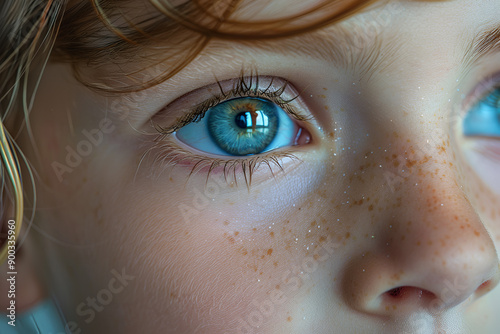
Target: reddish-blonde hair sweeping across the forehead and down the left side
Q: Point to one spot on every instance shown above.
(86, 35)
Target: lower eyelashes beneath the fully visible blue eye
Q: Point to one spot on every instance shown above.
(165, 154)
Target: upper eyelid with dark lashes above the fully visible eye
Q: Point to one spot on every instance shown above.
(272, 88)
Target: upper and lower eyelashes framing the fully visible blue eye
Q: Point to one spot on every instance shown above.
(170, 155)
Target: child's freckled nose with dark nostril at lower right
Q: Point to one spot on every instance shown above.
(431, 252)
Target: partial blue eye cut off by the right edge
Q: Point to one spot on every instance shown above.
(483, 119)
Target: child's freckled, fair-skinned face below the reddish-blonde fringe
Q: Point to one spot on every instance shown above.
(385, 192)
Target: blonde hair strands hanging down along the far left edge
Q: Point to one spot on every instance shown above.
(26, 36)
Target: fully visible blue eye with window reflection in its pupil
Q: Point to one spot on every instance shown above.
(239, 127)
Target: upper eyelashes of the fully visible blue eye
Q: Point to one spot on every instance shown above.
(246, 86)
